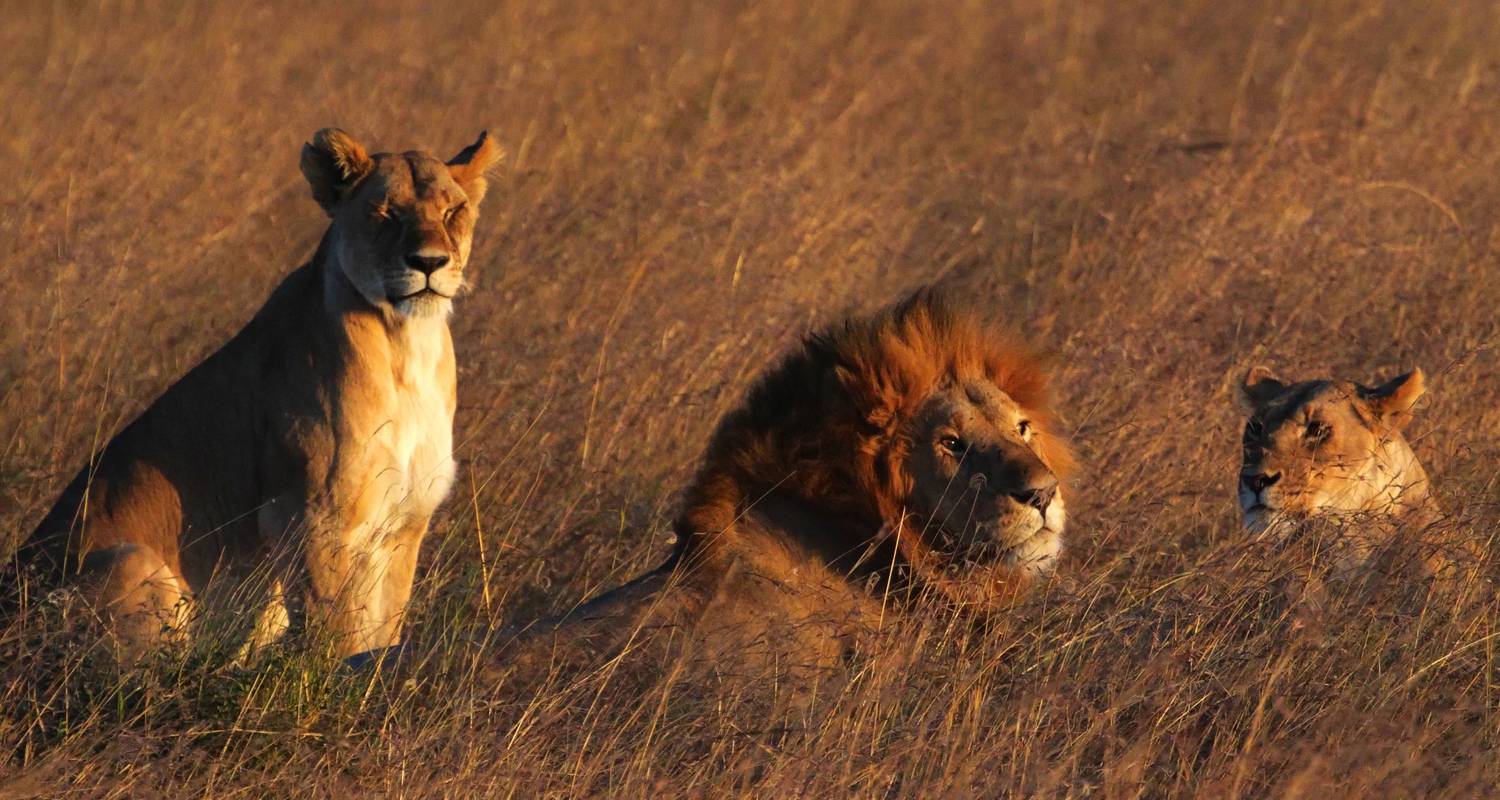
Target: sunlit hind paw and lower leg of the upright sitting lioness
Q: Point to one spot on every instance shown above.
(142, 600)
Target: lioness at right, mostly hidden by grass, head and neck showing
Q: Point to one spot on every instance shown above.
(1333, 453)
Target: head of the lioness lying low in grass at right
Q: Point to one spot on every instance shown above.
(1319, 448)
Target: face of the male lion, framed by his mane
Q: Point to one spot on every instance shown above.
(982, 484)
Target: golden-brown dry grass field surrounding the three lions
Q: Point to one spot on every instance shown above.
(1162, 194)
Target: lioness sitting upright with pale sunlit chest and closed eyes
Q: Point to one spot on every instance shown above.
(301, 463)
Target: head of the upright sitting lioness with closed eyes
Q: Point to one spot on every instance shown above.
(403, 223)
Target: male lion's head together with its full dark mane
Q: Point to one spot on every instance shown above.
(919, 427)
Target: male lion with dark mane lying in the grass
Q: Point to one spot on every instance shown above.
(901, 453)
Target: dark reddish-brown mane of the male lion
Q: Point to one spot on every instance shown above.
(830, 424)
